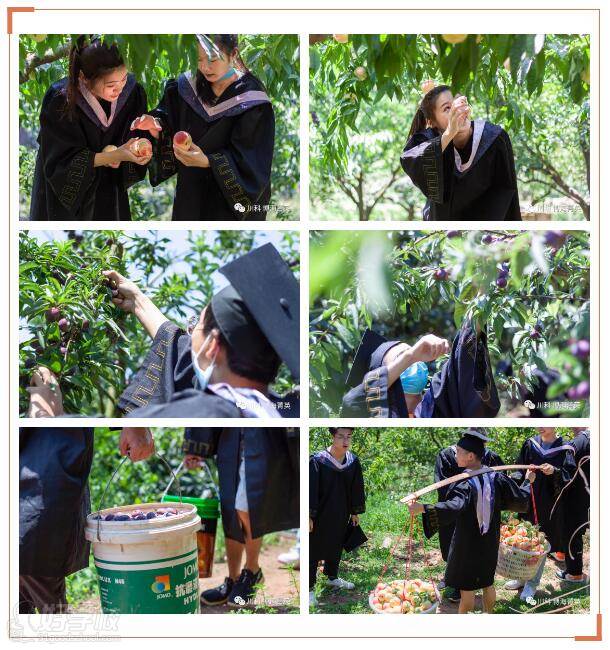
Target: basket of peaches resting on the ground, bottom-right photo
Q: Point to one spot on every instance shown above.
(404, 597)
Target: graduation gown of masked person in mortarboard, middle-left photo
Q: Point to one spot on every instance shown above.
(164, 385)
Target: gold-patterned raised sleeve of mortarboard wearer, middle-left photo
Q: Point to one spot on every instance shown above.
(167, 369)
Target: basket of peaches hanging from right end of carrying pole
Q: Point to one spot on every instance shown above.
(523, 547)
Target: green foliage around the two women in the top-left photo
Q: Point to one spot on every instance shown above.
(153, 59)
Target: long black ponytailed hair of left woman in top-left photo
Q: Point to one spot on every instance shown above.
(94, 58)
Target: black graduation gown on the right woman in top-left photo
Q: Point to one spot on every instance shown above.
(237, 135)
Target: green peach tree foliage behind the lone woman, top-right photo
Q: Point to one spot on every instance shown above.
(535, 86)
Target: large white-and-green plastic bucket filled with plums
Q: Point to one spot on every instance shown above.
(149, 566)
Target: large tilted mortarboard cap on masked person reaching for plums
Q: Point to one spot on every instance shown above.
(260, 310)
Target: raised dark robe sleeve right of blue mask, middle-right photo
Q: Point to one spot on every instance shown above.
(464, 387)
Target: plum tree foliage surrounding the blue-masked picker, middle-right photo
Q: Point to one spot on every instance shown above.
(530, 290)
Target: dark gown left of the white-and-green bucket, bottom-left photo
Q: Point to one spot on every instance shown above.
(54, 466)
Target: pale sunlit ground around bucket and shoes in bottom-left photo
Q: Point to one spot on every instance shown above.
(279, 594)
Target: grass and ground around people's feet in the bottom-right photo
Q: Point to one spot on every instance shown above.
(383, 522)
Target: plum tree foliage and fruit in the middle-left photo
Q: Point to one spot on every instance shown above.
(100, 347)
